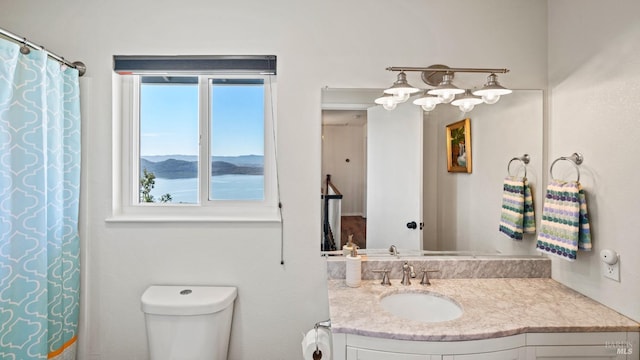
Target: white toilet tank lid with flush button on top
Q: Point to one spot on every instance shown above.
(187, 300)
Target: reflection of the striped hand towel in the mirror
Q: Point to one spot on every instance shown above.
(517, 215)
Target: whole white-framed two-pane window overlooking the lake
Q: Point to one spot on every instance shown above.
(193, 145)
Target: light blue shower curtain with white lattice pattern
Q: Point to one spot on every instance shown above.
(39, 196)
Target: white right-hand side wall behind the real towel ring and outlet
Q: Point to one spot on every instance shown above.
(594, 78)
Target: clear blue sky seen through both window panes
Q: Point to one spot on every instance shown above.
(169, 120)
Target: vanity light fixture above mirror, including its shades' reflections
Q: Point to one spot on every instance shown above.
(444, 91)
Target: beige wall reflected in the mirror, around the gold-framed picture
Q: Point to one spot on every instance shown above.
(462, 211)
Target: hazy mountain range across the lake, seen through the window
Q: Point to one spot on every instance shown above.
(186, 166)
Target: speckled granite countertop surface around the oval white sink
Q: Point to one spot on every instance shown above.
(492, 308)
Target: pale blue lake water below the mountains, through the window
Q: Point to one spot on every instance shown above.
(223, 187)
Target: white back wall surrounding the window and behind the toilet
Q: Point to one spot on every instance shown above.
(322, 43)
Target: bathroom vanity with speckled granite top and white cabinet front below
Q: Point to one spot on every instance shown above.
(521, 318)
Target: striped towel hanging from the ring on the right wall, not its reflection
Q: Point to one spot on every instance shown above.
(565, 222)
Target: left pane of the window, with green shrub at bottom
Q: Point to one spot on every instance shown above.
(169, 161)
